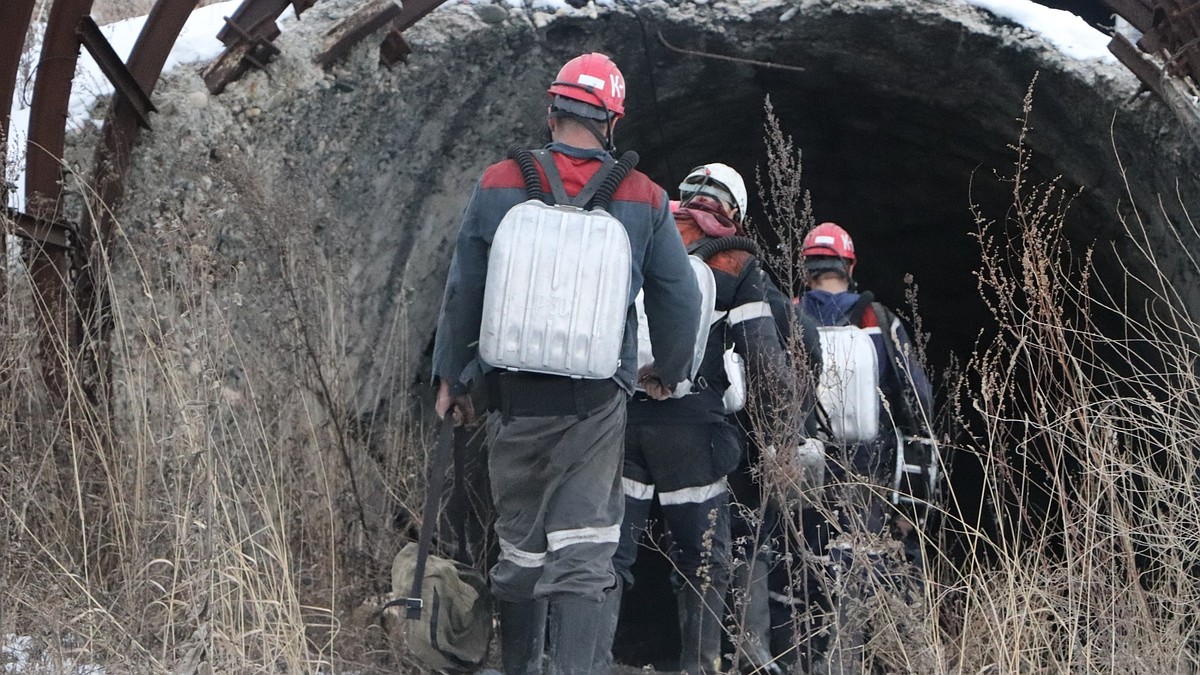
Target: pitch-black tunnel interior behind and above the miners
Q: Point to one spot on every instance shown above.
(898, 176)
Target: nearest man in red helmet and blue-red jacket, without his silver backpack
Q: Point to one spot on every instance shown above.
(556, 443)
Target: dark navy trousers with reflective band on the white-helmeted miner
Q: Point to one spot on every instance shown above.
(687, 467)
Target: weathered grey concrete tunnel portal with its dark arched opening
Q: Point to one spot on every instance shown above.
(904, 112)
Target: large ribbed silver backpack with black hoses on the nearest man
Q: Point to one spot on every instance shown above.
(559, 277)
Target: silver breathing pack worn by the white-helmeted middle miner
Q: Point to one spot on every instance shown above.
(734, 397)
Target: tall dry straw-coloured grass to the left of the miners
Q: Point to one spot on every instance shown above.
(218, 499)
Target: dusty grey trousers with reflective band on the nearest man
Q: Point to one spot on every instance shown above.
(557, 488)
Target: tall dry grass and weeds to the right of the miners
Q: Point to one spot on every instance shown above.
(1087, 559)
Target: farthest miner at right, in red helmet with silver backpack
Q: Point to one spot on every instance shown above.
(873, 395)
